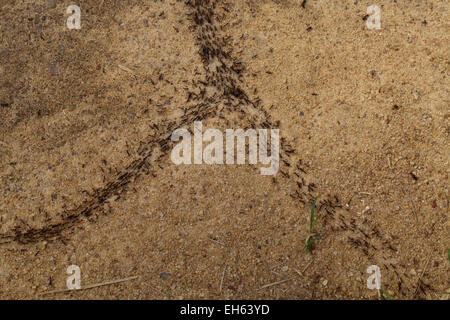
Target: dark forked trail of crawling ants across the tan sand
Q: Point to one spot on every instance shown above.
(220, 93)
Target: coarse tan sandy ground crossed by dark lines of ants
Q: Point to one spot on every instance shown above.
(85, 171)
